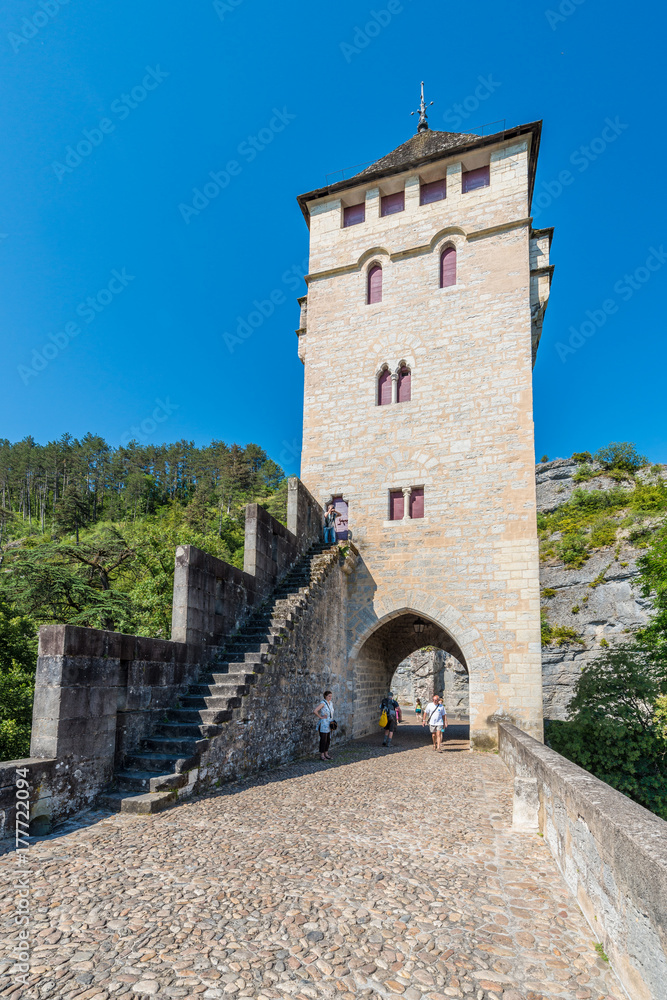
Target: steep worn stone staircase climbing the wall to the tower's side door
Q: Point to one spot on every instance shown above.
(153, 774)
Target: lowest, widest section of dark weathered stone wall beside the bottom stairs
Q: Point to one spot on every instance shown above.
(97, 694)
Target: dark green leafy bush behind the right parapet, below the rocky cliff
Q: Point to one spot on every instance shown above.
(616, 728)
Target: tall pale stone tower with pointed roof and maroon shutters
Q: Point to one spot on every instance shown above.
(426, 291)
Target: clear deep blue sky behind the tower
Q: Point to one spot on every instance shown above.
(122, 299)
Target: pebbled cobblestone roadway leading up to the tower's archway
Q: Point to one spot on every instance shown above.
(390, 873)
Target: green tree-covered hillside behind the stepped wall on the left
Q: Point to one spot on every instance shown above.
(88, 534)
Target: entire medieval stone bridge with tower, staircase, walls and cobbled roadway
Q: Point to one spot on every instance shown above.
(424, 272)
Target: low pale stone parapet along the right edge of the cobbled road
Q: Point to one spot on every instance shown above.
(612, 853)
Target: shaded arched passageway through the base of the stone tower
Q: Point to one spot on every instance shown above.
(388, 648)
